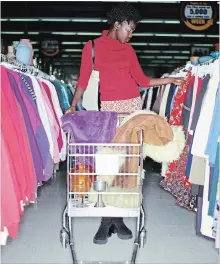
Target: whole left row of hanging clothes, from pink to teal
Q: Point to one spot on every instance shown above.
(32, 140)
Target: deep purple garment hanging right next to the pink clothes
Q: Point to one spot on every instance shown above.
(38, 165)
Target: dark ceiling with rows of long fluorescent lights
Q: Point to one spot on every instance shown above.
(161, 40)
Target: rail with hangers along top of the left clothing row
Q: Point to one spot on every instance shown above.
(25, 68)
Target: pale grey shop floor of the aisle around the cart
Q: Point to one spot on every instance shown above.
(171, 235)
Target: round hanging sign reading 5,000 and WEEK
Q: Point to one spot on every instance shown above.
(198, 15)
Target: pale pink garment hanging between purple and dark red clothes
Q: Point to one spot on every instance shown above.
(53, 124)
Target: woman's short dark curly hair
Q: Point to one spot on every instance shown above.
(123, 12)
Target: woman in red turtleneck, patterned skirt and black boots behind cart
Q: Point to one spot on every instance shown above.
(120, 78)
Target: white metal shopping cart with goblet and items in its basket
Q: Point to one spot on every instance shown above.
(88, 192)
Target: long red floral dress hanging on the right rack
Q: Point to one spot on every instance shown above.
(175, 180)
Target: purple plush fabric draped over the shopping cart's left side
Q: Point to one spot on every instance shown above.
(89, 127)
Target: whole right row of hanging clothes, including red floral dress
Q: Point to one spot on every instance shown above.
(194, 179)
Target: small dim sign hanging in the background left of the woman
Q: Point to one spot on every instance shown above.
(50, 47)
